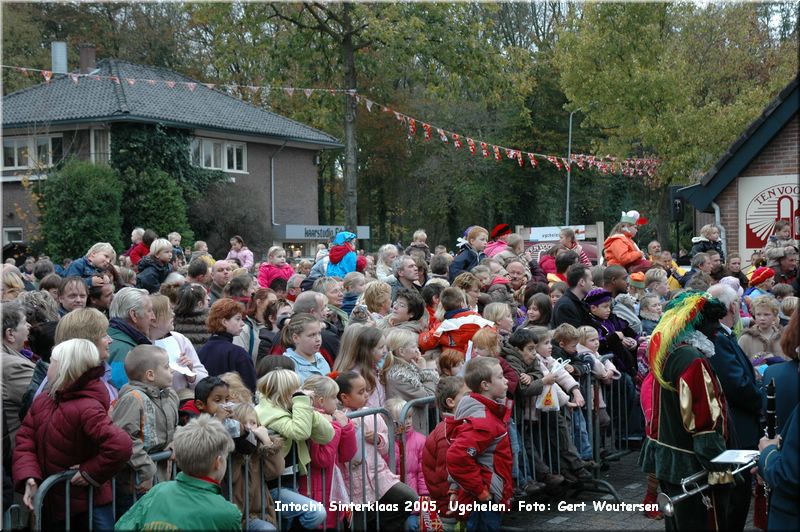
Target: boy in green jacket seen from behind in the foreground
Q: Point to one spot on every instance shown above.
(193, 501)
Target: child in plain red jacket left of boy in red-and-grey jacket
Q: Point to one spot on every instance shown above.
(449, 392)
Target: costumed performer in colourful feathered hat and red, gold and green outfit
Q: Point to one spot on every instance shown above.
(689, 422)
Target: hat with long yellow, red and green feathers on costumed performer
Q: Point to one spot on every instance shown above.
(682, 316)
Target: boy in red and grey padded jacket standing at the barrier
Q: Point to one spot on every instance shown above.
(479, 459)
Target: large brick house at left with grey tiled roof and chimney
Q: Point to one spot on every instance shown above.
(270, 160)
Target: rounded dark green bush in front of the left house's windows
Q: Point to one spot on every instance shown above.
(82, 207)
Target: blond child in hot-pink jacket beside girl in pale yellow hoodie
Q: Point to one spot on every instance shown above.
(343, 447)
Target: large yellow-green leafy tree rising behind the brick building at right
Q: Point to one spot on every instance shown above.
(672, 81)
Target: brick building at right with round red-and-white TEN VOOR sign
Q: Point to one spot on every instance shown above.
(755, 183)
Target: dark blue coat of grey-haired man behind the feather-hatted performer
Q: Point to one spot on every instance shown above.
(738, 379)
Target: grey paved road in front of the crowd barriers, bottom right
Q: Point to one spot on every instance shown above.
(629, 482)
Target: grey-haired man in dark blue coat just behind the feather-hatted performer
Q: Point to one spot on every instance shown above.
(738, 380)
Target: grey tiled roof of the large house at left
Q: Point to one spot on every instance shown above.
(63, 101)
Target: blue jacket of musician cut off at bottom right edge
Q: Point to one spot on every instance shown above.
(780, 468)
